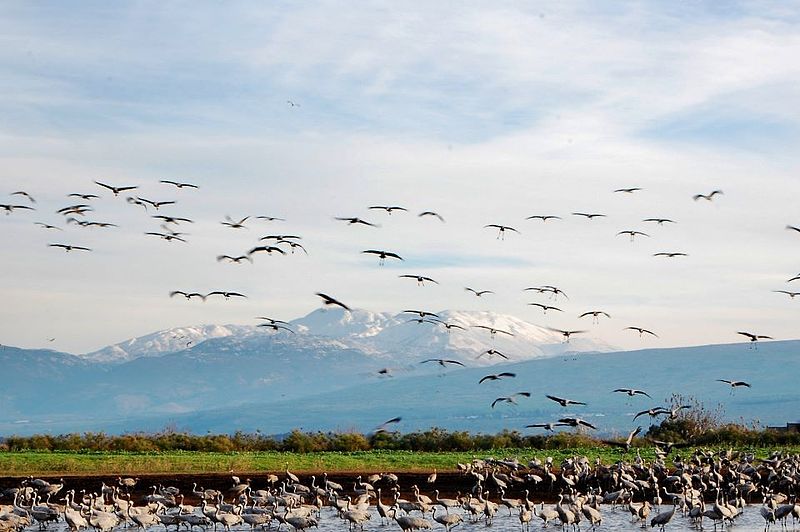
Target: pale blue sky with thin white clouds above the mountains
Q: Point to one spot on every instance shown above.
(486, 113)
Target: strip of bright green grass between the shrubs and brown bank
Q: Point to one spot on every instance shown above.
(112, 463)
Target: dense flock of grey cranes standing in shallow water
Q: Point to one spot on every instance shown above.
(699, 488)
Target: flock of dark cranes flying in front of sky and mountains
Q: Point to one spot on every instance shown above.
(77, 213)
